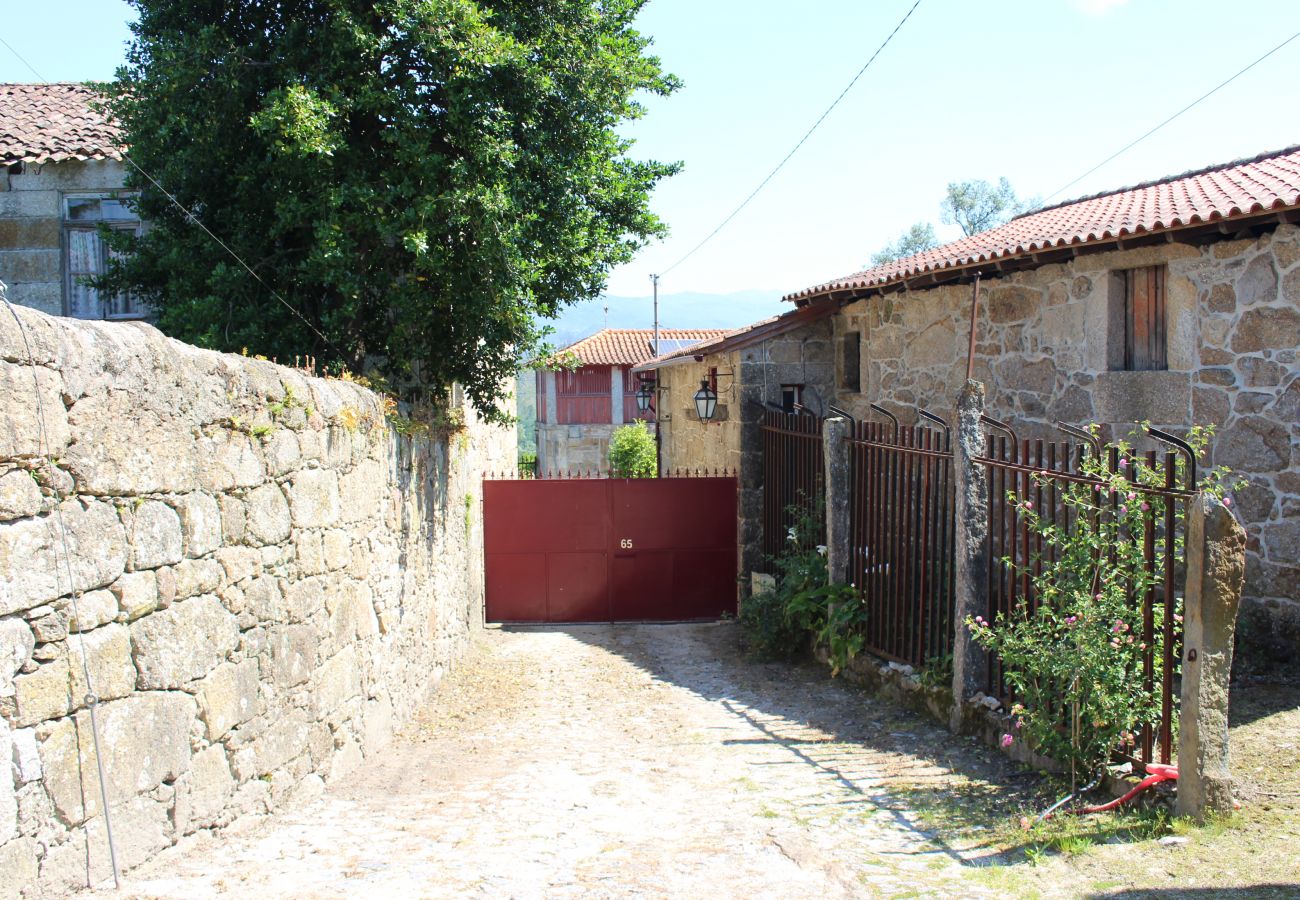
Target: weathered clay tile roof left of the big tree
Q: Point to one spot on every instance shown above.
(54, 123)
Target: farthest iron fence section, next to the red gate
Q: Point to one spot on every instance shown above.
(794, 474)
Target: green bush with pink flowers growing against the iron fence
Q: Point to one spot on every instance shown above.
(1076, 663)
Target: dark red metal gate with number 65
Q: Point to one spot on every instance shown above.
(610, 549)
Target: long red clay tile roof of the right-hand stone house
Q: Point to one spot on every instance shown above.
(1232, 191)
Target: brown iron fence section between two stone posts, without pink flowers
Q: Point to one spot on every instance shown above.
(902, 539)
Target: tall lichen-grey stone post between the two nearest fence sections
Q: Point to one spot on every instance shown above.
(970, 663)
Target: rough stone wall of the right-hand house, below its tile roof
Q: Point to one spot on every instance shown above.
(1043, 344)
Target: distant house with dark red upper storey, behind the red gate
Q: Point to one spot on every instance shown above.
(579, 406)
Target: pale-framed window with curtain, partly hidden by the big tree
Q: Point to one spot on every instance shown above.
(86, 256)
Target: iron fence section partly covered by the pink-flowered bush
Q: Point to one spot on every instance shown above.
(1039, 471)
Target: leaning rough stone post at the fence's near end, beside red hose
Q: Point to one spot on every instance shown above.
(1216, 570)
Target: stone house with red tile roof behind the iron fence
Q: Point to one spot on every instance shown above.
(1176, 301)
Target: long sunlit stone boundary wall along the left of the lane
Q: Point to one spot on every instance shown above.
(268, 581)
